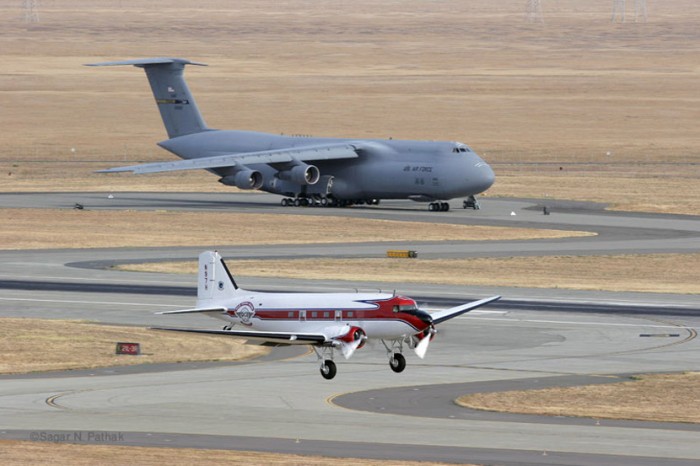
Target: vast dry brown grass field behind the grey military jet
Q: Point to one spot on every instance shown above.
(615, 106)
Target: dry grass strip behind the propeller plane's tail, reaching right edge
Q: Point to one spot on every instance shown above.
(610, 273)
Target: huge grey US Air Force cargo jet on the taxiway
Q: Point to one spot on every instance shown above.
(307, 171)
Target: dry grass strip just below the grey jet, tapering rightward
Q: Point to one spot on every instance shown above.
(26, 229)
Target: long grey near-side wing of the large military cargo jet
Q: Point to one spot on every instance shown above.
(310, 153)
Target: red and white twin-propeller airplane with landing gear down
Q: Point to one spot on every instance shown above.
(326, 321)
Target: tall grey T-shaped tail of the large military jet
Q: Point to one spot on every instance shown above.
(175, 102)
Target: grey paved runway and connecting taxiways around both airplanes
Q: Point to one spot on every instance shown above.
(286, 405)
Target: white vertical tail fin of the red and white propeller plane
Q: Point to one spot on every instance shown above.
(215, 283)
